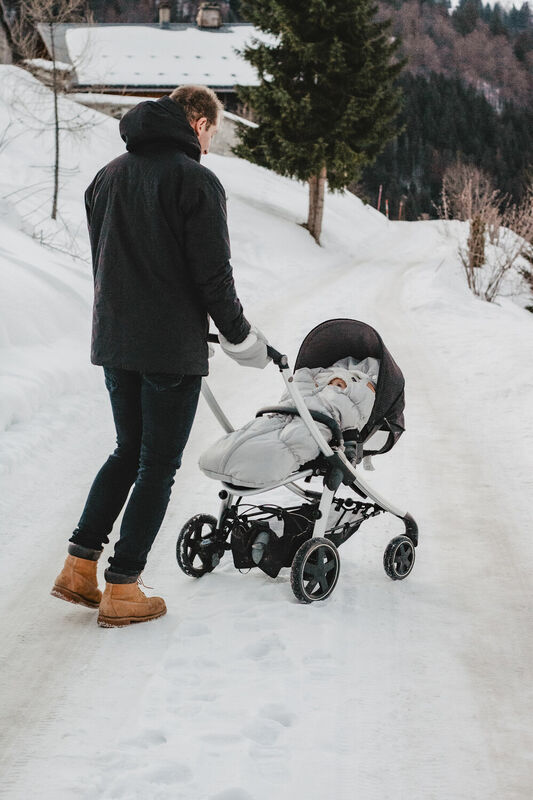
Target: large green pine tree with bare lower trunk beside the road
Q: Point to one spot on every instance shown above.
(327, 102)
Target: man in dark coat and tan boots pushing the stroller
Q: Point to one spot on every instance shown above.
(160, 247)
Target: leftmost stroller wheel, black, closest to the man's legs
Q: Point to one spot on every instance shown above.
(197, 550)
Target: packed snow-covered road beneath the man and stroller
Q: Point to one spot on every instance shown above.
(410, 690)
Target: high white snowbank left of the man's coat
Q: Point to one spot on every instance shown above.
(45, 303)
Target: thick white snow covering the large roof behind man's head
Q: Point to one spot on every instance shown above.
(146, 55)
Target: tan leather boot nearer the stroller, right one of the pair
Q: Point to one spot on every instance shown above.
(124, 603)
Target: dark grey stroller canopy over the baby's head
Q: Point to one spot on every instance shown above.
(339, 338)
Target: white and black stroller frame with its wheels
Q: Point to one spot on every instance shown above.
(315, 566)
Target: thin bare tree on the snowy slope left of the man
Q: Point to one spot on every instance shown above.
(50, 13)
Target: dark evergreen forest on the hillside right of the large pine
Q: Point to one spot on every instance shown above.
(444, 121)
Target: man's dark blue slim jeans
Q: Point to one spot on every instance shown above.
(153, 416)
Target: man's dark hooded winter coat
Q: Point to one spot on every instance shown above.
(160, 246)
